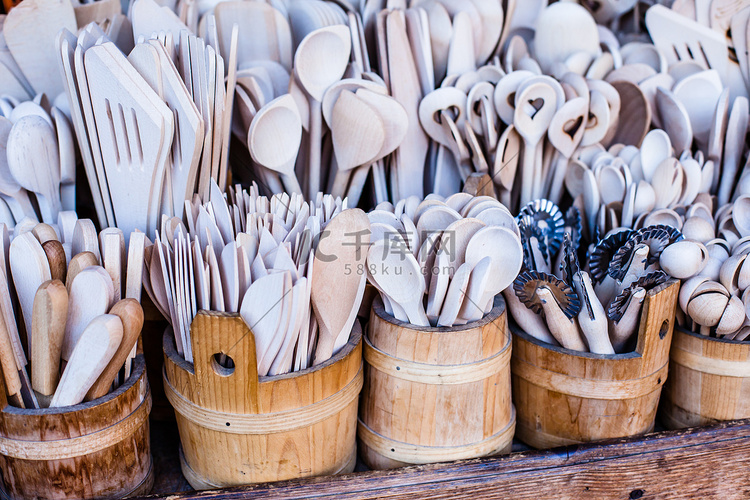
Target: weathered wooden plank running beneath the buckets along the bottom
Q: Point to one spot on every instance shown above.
(706, 462)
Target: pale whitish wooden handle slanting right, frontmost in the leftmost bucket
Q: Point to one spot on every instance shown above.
(98, 343)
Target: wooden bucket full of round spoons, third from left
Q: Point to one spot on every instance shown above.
(435, 394)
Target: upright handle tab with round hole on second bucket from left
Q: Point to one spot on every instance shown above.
(223, 387)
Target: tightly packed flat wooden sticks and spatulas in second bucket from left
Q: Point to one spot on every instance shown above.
(289, 267)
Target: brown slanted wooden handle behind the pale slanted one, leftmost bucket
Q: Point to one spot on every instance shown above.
(130, 313)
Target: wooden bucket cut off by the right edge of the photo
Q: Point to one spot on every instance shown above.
(709, 381)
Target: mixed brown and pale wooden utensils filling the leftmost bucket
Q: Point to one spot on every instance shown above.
(76, 295)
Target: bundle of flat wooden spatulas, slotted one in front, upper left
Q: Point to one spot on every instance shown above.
(152, 126)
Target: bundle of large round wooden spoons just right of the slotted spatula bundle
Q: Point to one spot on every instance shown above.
(289, 94)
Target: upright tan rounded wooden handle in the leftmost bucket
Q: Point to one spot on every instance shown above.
(48, 329)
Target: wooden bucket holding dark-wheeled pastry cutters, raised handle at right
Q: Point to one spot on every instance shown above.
(567, 397)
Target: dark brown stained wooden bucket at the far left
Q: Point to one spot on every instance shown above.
(99, 449)
